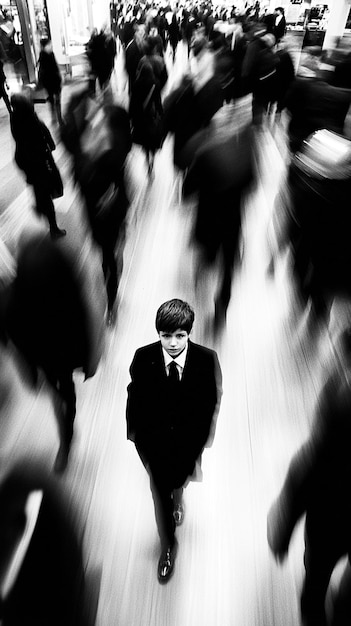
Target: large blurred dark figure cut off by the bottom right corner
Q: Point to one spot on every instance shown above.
(317, 486)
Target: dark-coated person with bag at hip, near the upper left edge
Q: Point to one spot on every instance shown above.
(34, 145)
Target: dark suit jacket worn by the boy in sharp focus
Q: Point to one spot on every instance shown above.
(166, 427)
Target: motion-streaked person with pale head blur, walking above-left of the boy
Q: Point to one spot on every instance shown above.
(99, 141)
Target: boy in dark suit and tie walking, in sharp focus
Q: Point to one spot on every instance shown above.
(173, 401)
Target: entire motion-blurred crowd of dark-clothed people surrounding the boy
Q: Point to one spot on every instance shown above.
(47, 311)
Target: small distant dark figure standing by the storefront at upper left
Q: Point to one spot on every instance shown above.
(49, 77)
